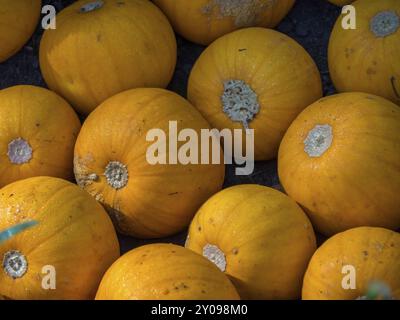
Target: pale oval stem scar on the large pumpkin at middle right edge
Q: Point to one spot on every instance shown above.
(318, 141)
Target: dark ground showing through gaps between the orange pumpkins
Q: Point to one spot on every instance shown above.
(310, 23)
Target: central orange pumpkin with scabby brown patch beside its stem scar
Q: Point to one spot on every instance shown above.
(146, 199)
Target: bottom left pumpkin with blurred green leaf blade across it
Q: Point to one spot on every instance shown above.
(66, 254)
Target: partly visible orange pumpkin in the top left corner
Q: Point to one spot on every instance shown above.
(18, 22)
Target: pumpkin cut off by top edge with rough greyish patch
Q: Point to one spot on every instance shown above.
(203, 21)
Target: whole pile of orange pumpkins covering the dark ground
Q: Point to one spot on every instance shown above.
(338, 156)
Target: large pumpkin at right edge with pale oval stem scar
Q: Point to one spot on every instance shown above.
(340, 161)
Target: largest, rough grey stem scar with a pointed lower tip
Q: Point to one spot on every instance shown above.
(240, 102)
